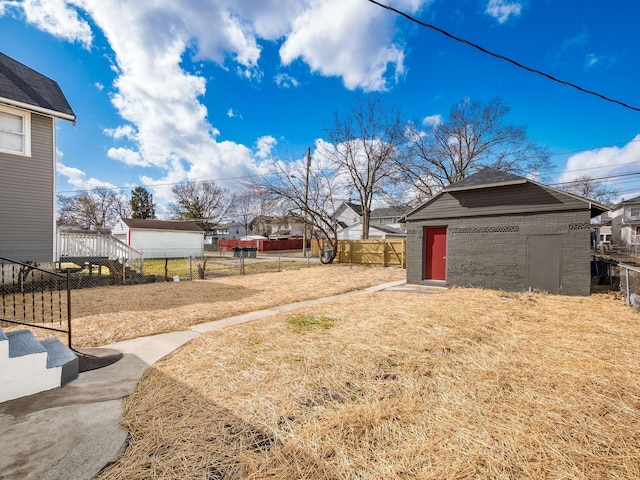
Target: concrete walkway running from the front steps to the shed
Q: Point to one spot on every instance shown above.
(72, 432)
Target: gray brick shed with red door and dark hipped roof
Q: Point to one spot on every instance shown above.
(501, 231)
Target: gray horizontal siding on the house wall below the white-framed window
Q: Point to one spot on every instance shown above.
(27, 197)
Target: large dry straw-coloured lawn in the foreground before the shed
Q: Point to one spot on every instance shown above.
(464, 384)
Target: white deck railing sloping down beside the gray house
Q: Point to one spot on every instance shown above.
(97, 244)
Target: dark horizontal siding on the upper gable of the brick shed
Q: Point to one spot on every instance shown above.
(502, 200)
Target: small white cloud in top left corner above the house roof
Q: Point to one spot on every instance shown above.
(56, 17)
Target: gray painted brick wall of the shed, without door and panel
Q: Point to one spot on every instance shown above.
(491, 251)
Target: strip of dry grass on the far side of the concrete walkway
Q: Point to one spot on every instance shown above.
(111, 314)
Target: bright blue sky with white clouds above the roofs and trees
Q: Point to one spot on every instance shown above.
(166, 91)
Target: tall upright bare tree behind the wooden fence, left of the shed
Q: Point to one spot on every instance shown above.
(364, 144)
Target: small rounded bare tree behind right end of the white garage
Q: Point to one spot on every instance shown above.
(204, 203)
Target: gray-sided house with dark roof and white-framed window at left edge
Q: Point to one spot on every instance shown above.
(29, 105)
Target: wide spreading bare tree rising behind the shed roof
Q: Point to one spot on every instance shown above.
(473, 136)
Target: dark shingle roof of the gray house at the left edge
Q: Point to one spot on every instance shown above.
(21, 84)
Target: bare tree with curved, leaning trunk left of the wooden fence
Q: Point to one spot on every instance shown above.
(314, 196)
